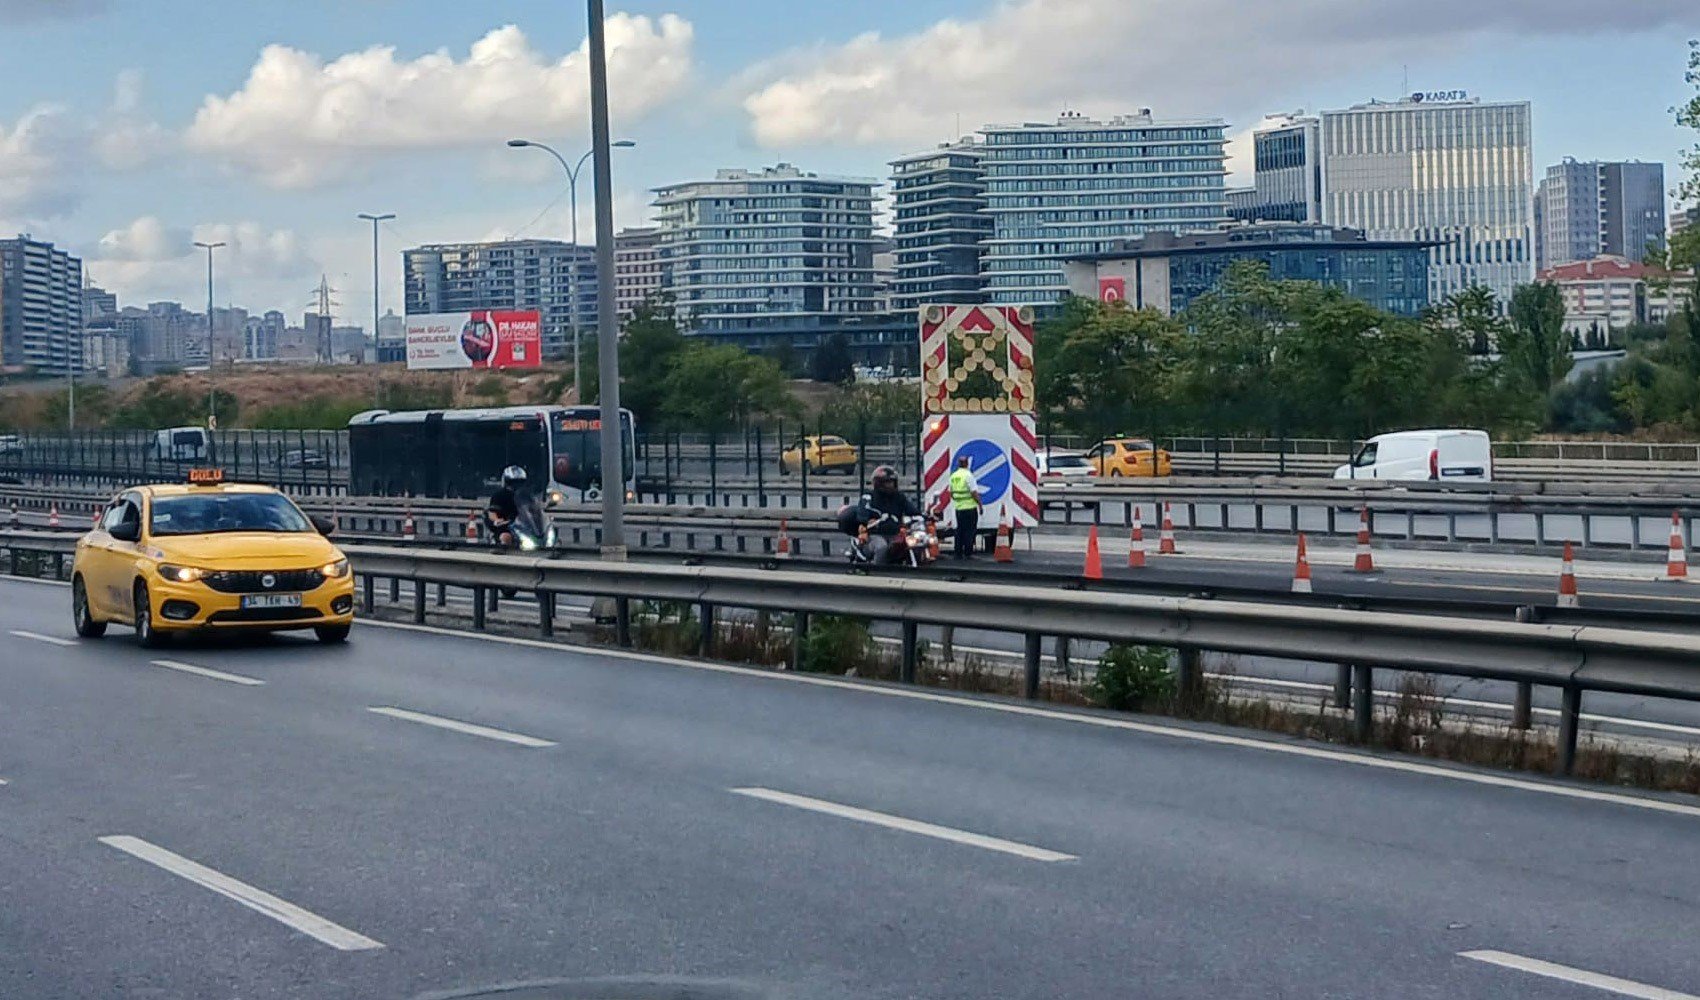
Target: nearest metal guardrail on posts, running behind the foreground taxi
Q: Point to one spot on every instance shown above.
(1575, 659)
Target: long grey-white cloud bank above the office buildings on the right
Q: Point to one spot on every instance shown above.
(1028, 59)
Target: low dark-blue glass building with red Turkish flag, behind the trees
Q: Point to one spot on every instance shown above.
(1169, 271)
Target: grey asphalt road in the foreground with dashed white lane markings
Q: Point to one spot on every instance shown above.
(881, 844)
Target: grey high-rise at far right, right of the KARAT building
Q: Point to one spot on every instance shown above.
(1601, 210)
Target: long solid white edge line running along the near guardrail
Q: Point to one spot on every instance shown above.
(1087, 720)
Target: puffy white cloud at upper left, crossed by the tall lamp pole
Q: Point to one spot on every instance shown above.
(300, 120)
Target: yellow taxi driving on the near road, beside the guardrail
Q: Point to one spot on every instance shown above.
(210, 555)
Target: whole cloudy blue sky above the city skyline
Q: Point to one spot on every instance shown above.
(132, 128)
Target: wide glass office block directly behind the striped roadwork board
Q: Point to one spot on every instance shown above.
(1080, 186)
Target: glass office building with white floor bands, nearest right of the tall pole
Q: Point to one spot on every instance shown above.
(774, 256)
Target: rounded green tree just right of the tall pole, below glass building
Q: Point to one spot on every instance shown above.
(720, 387)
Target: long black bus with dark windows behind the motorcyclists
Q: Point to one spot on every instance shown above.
(462, 453)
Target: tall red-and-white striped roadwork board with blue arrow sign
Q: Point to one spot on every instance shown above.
(978, 404)
